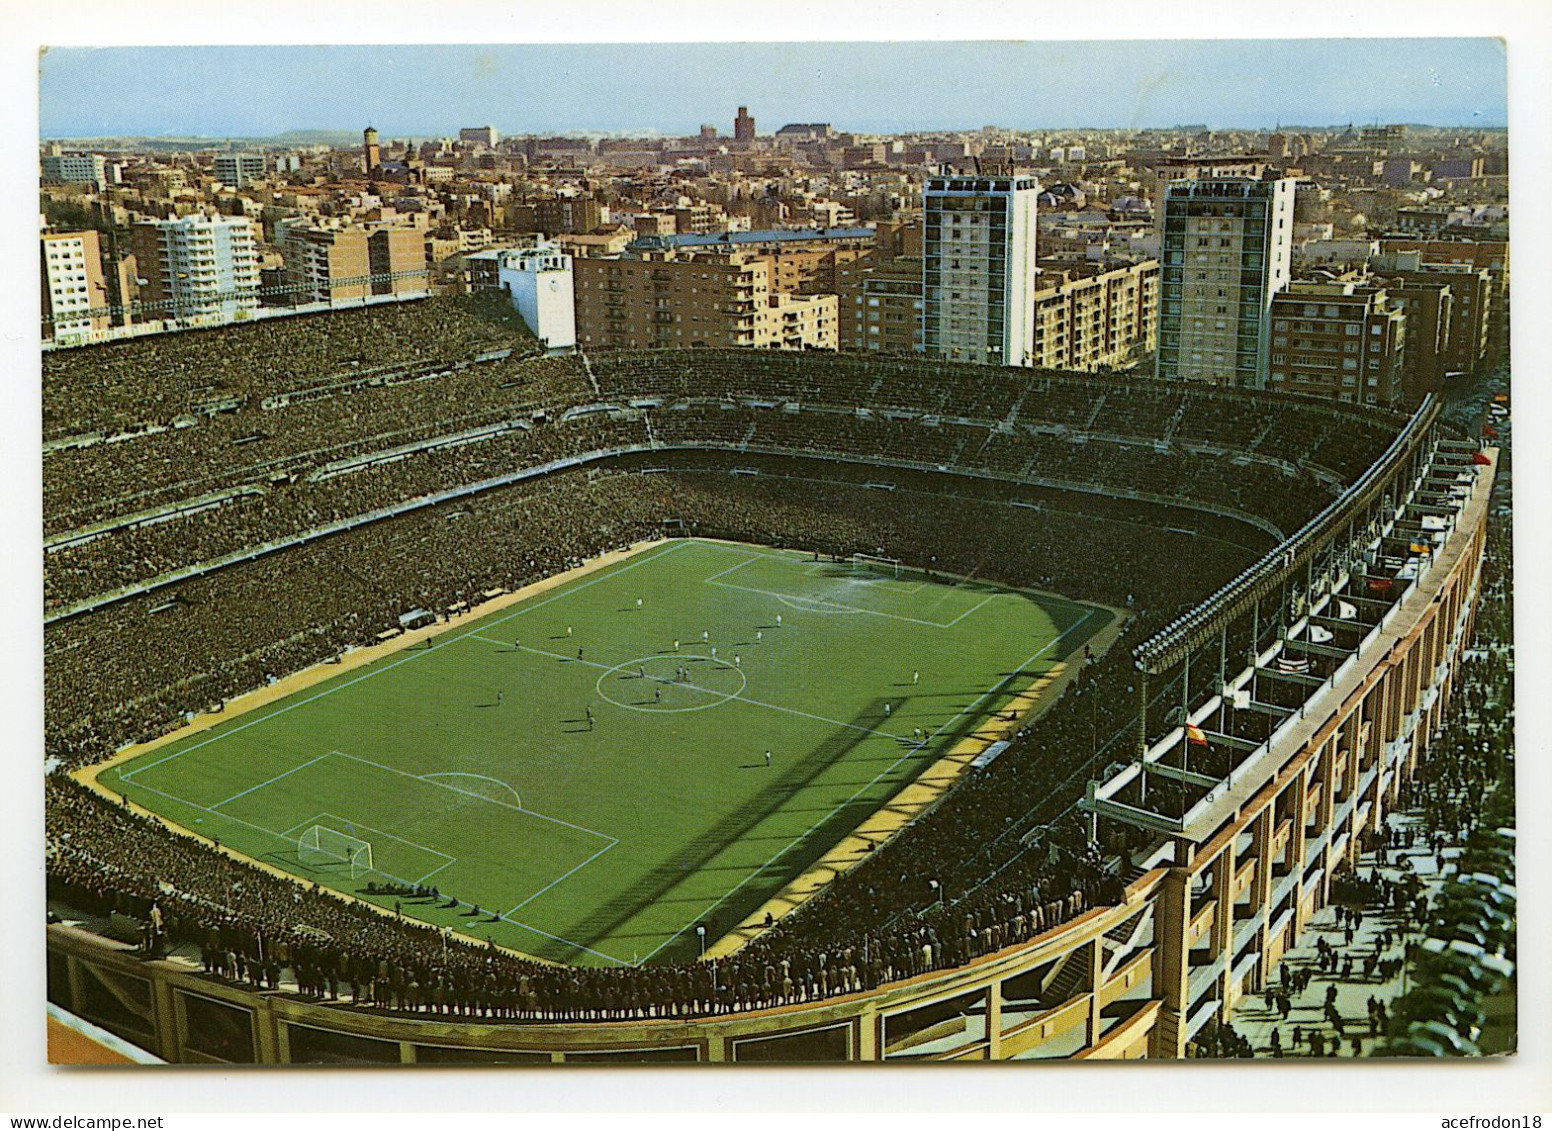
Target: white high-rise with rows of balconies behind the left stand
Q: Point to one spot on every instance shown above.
(198, 269)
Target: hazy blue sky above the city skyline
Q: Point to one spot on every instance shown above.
(434, 91)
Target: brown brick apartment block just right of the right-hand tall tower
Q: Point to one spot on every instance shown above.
(1339, 341)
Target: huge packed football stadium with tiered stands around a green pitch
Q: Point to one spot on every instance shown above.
(414, 696)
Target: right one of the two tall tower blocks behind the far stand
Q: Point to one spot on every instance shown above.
(1227, 251)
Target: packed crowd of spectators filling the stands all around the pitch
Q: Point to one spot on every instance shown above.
(961, 882)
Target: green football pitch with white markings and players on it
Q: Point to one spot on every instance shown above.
(589, 767)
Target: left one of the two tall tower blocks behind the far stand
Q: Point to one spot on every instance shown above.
(979, 269)
